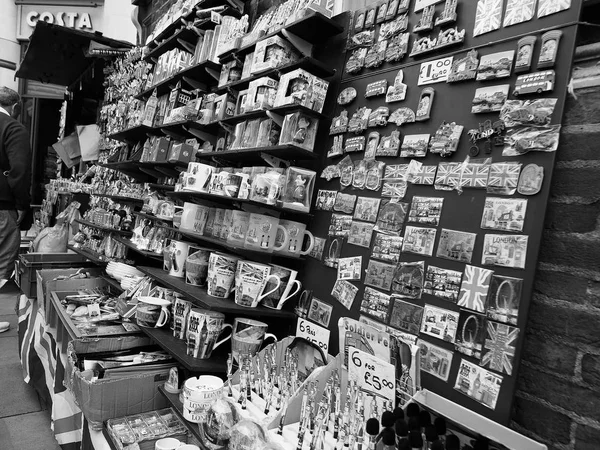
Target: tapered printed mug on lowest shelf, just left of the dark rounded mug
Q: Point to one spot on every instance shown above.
(204, 327)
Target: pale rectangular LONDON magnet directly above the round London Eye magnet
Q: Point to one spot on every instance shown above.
(504, 250)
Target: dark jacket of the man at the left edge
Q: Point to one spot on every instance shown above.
(15, 165)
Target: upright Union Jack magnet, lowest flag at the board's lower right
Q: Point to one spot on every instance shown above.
(499, 347)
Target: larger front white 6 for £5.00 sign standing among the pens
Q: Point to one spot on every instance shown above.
(372, 374)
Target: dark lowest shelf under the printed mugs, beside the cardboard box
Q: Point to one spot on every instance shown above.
(178, 349)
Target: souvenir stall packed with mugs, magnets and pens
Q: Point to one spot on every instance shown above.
(313, 231)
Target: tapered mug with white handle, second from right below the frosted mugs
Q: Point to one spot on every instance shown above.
(250, 281)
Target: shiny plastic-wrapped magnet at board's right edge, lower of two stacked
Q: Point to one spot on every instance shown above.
(519, 141)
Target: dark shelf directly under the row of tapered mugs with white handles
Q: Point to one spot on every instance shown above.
(199, 296)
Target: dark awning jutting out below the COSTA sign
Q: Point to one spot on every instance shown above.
(59, 55)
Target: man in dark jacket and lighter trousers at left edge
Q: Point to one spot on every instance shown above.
(15, 183)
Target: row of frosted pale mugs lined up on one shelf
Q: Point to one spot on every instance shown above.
(249, 230)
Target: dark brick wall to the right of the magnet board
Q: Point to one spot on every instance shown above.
(558, 391)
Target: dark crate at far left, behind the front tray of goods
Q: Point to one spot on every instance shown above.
(27, 265)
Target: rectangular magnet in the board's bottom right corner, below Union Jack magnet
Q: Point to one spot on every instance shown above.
(477, 383)
